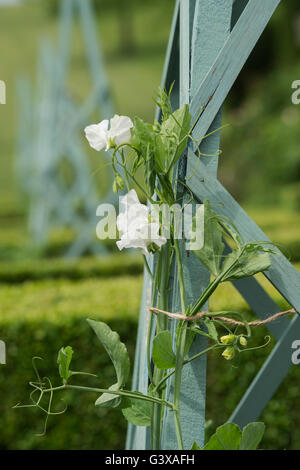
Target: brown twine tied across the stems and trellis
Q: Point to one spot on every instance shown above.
(199, 315)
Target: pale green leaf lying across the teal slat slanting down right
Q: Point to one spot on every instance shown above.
(248, 264)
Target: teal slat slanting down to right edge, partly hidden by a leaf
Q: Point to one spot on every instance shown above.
(205, 186)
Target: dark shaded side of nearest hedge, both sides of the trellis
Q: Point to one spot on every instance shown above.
(85, 427)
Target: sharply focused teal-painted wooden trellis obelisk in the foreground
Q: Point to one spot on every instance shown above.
(210, 59)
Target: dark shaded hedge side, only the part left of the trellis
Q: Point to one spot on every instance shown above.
(82, 426)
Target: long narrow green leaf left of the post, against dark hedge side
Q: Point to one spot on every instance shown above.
(116, 350)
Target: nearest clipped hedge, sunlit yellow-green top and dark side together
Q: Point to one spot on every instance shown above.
(37, 318)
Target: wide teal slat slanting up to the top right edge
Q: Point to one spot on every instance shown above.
(225, 69)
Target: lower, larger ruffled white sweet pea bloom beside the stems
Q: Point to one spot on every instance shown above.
(135, 229)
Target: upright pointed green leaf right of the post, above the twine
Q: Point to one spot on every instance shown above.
(211, 252)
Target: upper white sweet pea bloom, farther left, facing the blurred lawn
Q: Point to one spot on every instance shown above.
(109, 134)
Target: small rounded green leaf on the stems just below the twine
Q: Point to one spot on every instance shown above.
(163, 354)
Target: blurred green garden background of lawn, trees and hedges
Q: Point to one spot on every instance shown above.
(46, 297)
